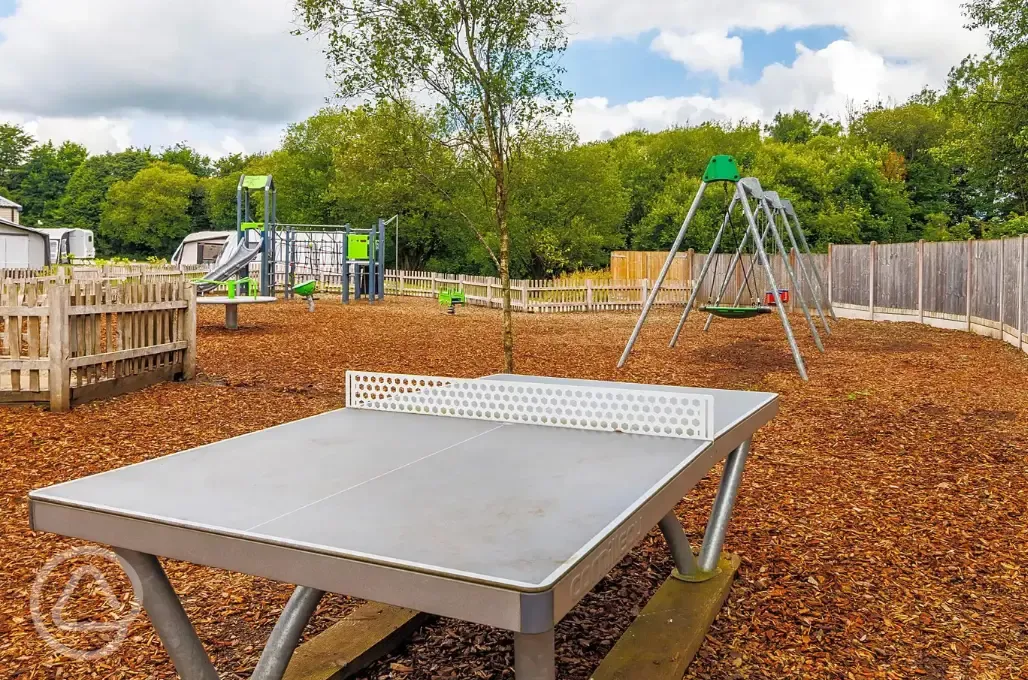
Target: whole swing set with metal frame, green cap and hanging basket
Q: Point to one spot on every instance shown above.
(753, 244)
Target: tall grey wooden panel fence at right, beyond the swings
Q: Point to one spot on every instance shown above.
(979, 287)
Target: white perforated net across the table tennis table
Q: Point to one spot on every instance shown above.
(604, 409)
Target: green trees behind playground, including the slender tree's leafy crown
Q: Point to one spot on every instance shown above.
(459, 176)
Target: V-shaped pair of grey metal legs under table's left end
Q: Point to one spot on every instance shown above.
(179, 637)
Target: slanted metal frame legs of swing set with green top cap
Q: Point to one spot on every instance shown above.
(747, 191)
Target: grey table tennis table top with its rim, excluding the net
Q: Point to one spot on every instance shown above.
(381, 505)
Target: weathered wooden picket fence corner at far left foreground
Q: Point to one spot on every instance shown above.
(67, 344)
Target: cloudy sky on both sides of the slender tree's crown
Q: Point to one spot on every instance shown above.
(227, 76)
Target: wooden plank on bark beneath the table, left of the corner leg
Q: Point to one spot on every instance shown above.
(370, 633)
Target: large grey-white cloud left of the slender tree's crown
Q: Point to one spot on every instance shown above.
(111, 74)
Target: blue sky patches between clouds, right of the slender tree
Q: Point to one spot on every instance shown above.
(625, 70)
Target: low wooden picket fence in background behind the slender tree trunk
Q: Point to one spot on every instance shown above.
(536, 297)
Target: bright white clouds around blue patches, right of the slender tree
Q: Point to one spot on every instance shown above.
(892, 51)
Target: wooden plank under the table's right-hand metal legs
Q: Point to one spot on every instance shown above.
(665, 638)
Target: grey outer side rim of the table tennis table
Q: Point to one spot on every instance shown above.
(564, 588)
